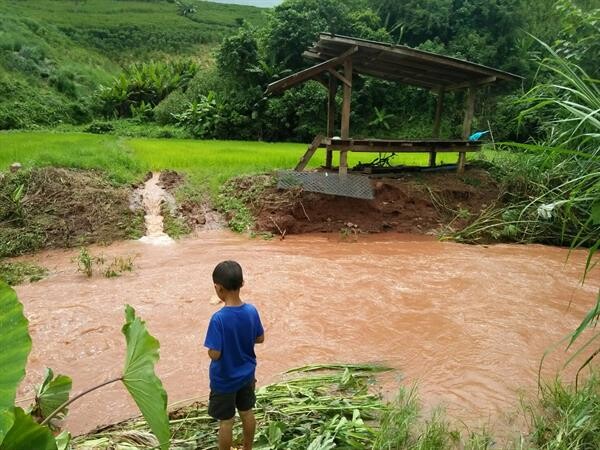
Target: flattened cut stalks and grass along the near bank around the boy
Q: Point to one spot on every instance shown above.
(327, 406)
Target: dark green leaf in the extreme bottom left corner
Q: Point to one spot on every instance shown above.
(27, 434)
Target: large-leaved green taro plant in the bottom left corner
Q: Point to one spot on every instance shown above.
(19, 429)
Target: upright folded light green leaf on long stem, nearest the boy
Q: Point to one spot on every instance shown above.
(139, 377)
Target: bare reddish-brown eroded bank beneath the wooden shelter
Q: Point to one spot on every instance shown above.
(418, 202)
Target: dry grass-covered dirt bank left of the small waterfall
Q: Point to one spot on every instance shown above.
(52, 207)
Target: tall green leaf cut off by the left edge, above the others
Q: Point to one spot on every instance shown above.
(15, 345)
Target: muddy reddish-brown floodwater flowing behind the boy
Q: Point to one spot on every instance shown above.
(467, 323)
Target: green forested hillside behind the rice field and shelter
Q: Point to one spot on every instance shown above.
(81, 59)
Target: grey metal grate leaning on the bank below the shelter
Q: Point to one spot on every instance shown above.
(356, 186)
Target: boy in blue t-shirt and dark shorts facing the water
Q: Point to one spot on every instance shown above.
(230, 338)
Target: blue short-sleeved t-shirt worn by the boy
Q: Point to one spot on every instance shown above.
(233, 331)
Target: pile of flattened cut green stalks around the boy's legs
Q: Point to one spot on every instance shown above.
(321, 411)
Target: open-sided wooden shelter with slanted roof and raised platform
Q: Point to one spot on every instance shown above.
(438, 73)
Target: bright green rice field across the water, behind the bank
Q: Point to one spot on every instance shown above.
(208, 163)
